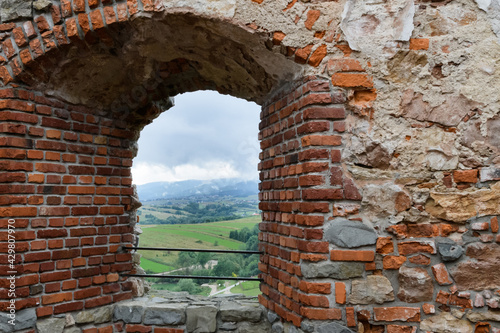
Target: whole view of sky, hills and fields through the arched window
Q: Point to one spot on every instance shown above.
(196, 174)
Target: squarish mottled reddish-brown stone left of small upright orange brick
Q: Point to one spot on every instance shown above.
(415, 285)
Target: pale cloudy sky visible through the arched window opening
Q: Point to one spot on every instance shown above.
(204, 136)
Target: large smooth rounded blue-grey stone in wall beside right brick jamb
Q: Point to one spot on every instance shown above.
(345, 233)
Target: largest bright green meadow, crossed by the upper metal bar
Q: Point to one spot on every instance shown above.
(214, 235)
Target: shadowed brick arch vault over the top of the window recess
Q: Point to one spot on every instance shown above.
(82, 41)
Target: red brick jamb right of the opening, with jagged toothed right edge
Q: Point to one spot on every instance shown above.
(301, 141)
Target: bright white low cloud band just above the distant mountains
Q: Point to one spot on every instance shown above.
(143, 172)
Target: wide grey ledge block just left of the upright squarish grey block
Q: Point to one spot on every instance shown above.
(165, 314)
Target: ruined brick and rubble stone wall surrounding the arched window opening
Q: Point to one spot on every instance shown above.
(379, 164)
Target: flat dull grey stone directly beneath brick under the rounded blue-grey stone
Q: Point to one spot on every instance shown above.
(336, 270)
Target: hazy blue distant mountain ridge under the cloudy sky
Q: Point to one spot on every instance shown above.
(196, 188)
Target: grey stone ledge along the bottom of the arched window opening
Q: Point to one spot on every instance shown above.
(177, 311)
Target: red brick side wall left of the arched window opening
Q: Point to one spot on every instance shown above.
(66, 182)
